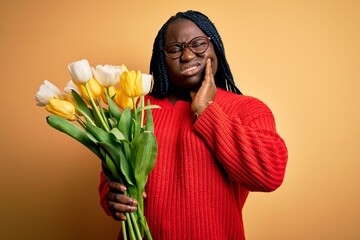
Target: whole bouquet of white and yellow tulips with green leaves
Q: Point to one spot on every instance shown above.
(103, 108)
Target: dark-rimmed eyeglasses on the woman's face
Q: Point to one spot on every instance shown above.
(197, 45)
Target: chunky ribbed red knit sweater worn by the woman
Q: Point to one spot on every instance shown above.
(206, 168)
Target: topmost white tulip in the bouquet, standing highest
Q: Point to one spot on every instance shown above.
(80, 71)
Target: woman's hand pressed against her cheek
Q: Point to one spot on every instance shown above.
(206, 92)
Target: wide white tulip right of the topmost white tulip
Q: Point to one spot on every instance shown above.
(107, 75)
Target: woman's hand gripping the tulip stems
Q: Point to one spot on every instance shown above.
(118, 203)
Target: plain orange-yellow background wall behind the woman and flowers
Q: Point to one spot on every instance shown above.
(301, 57)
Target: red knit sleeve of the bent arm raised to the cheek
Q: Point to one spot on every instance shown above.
(244, 140)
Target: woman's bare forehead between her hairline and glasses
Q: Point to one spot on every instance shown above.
(182, 30)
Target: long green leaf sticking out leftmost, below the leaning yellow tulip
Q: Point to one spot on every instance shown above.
(73, 131)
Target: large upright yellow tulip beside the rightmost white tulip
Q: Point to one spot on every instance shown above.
(131, 83)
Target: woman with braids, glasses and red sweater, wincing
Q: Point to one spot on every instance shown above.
(214, 144)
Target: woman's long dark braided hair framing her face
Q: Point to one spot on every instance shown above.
(158, 69)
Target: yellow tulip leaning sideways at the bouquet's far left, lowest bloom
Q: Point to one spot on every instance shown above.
(61, 108)
